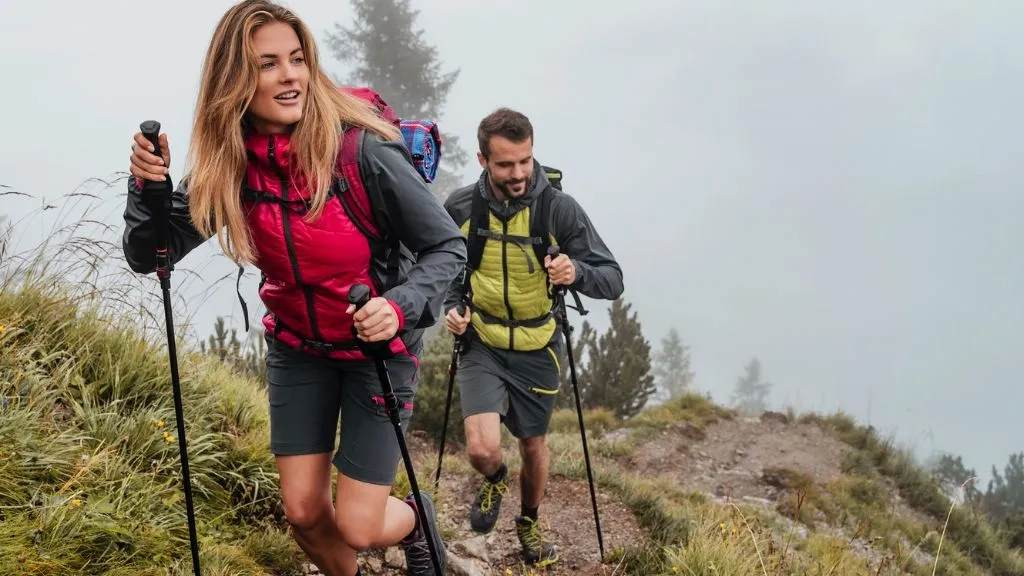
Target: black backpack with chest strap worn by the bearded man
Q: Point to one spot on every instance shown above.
(540, 231)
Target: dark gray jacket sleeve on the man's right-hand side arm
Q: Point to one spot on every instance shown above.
(599, 275)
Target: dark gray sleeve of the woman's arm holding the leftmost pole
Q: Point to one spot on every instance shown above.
(140, 240)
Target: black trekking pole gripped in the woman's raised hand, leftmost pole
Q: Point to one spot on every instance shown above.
(161, 217)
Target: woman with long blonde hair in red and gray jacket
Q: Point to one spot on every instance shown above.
(265, 162)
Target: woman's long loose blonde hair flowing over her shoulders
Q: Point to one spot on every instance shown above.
(217, 163)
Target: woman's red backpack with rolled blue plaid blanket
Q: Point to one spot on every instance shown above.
(423, 143)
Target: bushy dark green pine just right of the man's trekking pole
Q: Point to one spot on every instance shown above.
(617, 375)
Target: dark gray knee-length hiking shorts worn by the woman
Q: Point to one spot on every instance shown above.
(308, 394)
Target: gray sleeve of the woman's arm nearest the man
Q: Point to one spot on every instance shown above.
(422, 225)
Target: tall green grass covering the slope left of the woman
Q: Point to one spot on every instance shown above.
(91, 479)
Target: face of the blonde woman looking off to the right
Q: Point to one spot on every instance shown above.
(281, 92)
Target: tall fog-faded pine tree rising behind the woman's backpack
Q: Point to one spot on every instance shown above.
(390, 56)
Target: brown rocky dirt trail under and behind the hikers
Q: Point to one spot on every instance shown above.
(731, 460)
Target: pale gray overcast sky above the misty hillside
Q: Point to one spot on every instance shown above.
(841, 181)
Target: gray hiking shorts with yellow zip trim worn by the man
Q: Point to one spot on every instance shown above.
(522, 387)
